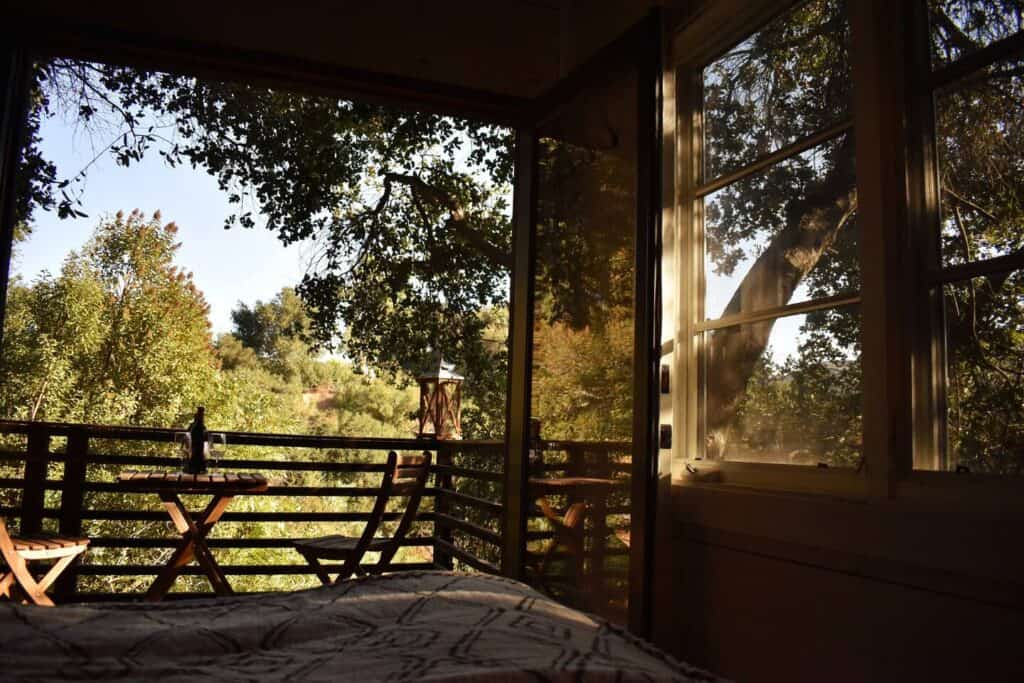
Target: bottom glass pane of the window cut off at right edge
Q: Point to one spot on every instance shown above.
(986, 374)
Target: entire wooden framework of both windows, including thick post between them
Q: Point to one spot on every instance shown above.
(903, 349)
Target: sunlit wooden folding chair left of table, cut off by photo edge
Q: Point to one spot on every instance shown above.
(19, 550)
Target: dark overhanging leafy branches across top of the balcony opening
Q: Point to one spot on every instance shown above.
(408, 210)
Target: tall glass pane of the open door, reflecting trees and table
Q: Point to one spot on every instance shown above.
(583, 350)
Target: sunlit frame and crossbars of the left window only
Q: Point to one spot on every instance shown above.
(692, 189)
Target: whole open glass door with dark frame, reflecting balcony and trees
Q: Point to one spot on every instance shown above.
(583, 447)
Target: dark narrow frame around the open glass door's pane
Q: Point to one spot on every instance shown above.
(639, 49)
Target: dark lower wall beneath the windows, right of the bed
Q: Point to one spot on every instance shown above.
(765, 587)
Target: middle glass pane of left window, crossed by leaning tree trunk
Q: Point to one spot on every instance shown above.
(784, 236)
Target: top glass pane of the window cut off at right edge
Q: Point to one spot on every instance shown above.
(961, 27)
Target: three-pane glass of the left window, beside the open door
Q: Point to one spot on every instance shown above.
(776, 323)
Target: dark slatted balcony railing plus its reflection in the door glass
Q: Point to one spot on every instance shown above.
(62, 479)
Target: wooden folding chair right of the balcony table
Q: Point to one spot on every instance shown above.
(405, 476)
